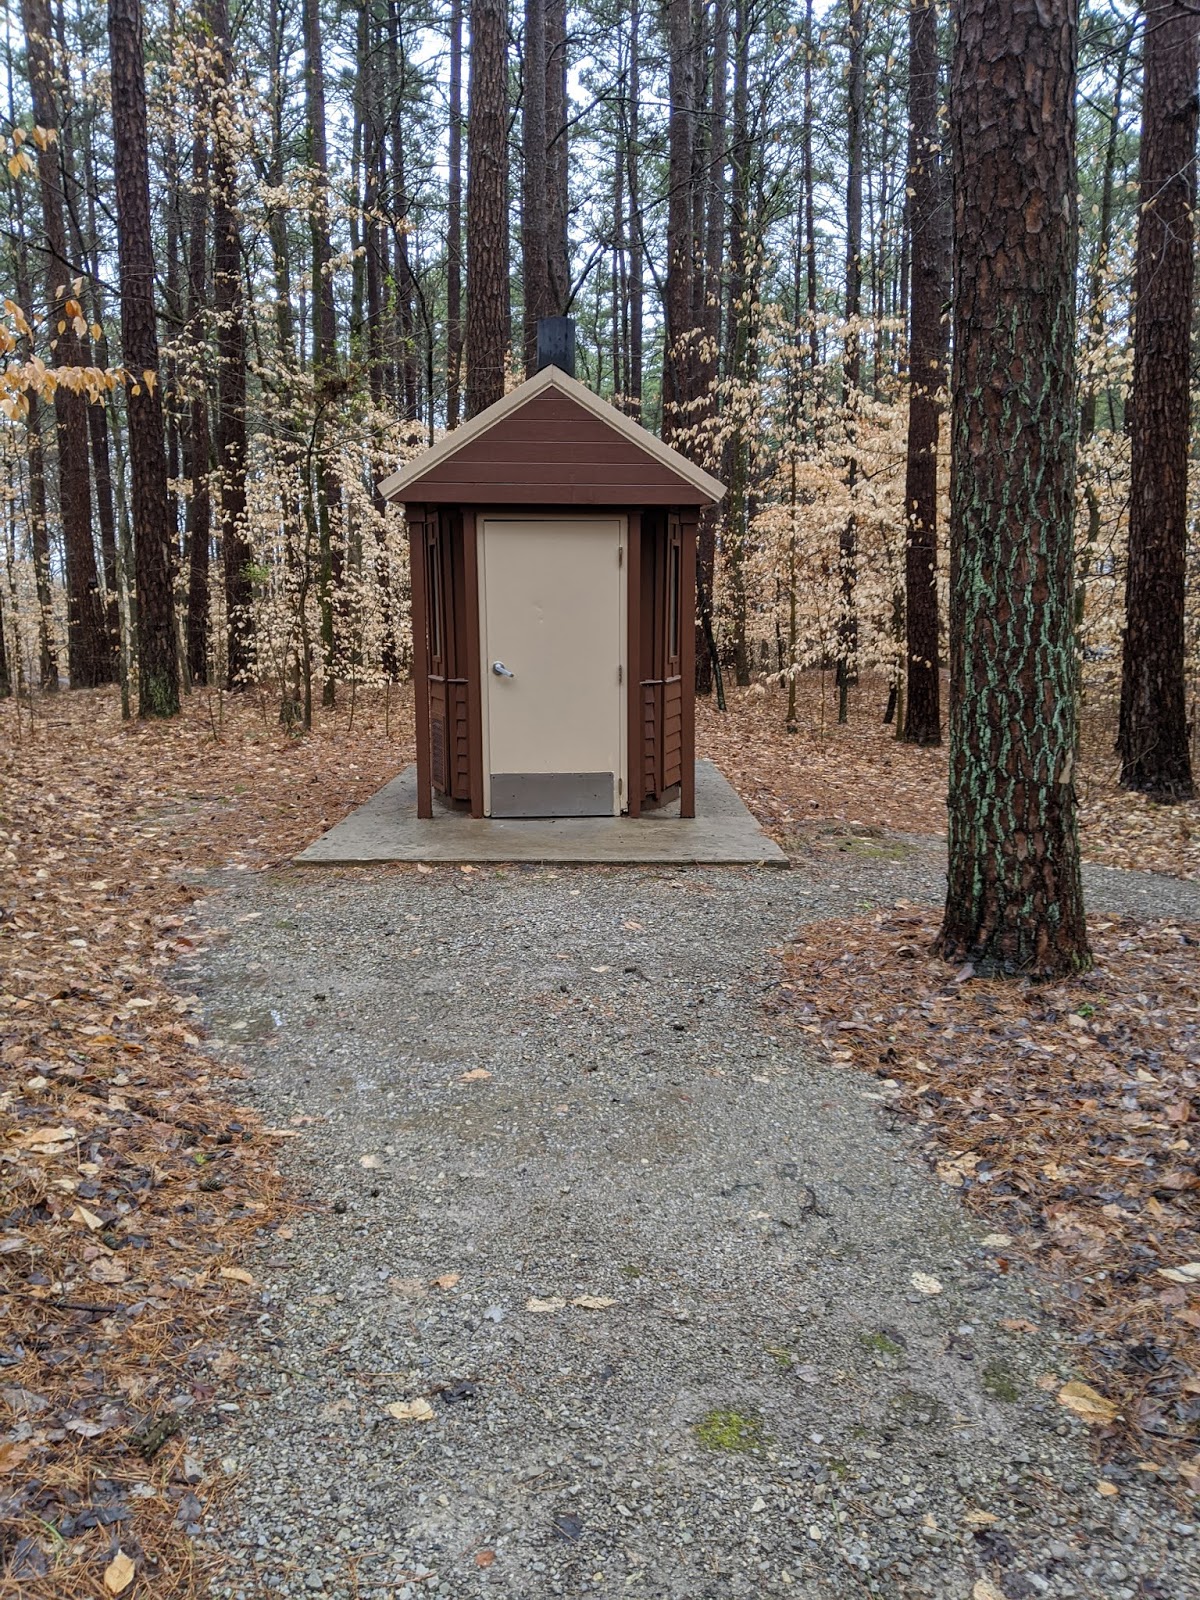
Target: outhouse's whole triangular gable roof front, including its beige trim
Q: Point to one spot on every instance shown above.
(542, 444)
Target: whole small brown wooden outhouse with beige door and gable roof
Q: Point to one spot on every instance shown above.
(554, 582)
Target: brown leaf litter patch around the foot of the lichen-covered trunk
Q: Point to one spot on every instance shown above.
(1066, 1114)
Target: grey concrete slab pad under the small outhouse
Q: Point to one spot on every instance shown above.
(390, 830)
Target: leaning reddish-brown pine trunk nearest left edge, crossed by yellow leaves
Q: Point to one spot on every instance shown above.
(89, 647)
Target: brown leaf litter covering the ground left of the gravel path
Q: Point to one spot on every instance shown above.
(130, 1188)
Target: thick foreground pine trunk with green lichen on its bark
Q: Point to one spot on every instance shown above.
(1015, 900)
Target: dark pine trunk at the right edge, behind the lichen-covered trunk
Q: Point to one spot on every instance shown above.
(1153, 740)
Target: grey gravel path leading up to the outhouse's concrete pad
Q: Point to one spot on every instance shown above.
(554, 1086)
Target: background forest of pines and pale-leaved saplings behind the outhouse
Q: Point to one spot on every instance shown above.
(358, 220)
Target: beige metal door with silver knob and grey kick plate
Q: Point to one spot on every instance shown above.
(553, 617)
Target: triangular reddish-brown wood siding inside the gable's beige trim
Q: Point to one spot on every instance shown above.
(550, 452)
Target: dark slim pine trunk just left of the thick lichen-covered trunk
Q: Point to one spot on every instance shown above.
(927, 374)
